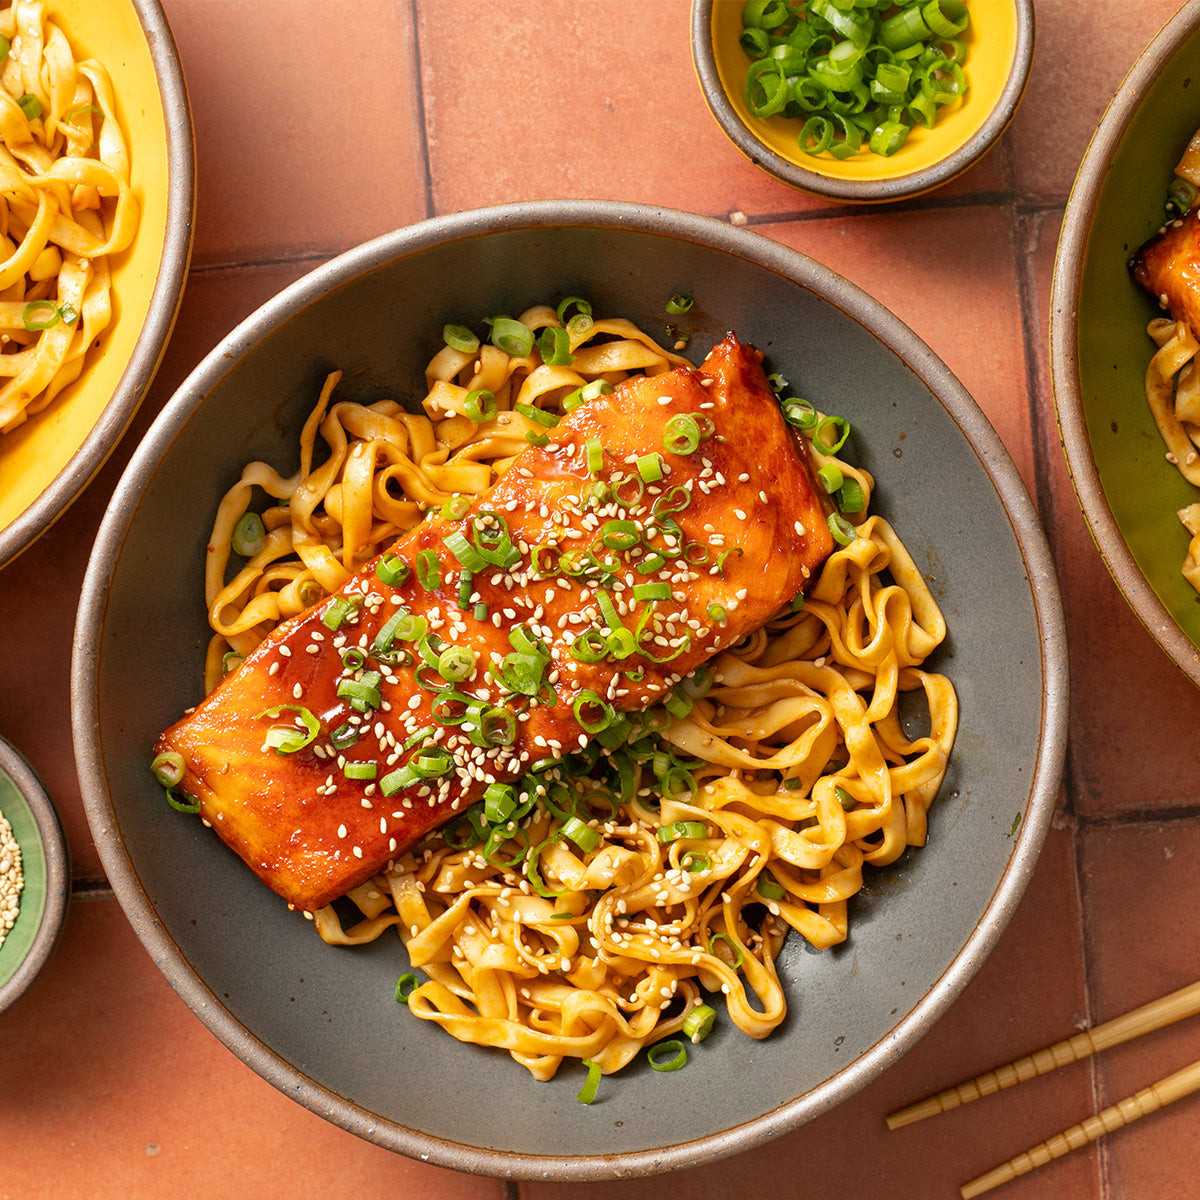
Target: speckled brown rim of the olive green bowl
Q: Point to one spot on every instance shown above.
(1069, 273)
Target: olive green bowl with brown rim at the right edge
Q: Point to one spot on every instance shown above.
(1100, 347)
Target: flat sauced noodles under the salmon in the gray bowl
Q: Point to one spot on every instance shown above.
(590, 917)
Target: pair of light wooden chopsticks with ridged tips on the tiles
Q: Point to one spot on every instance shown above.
(1155, 1016)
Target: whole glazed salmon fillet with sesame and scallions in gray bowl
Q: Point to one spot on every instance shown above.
(657, 526)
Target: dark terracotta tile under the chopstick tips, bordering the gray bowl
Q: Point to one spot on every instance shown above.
(1028, 994)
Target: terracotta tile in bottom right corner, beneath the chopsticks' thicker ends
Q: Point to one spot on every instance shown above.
(1136, 956)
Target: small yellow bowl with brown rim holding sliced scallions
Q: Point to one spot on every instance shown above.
(1000, 43)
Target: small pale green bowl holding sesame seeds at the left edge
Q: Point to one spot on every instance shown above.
(27, 807)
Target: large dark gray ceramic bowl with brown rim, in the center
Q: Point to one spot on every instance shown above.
(321, 1024)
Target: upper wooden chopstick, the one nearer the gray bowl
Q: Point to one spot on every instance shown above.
(1155, 1016)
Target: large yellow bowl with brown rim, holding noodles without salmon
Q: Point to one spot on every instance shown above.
(46, 463)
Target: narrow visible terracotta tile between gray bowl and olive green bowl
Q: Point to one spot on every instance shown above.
(1127, 697)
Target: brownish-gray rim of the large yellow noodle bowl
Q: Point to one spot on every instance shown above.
(167, 297)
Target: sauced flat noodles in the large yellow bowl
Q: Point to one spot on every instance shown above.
(65, 207)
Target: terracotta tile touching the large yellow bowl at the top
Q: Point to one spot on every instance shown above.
(316, 154)
